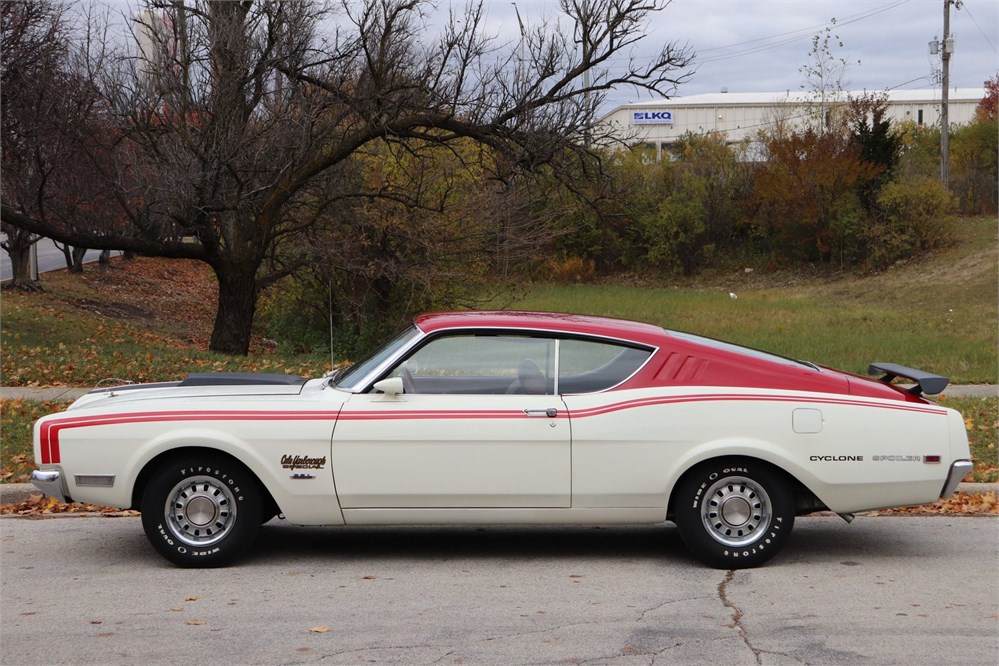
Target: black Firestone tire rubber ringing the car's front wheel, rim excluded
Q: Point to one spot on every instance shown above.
(246, 495)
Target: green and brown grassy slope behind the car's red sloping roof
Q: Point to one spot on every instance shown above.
(938, 314)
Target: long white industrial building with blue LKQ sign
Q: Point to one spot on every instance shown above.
(740, 116)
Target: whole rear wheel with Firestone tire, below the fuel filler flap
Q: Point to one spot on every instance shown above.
(734, 513)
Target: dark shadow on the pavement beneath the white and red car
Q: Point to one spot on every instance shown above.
(822, 540)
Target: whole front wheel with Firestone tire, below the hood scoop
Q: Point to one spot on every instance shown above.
(202, 511)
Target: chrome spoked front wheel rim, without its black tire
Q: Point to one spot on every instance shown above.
(200, 511)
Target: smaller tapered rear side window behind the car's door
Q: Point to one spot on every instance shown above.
(588, 366)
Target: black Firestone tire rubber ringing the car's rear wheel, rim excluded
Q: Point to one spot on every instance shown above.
(691, 494)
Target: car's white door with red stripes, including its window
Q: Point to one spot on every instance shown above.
(478, 426)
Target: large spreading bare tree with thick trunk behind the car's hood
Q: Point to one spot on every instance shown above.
(240, 132)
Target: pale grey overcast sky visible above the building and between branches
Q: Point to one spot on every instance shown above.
(761, 45)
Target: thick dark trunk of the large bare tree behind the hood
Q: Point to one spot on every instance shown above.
(237, 305)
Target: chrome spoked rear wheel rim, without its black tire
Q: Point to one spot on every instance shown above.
(735, 510)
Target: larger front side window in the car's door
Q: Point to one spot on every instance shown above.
(481, 364)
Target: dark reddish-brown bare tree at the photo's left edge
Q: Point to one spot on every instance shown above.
(54, 137)
